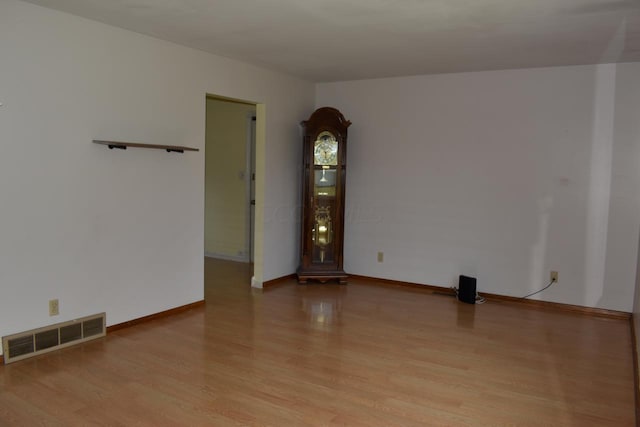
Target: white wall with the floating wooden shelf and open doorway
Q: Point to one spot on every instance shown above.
(110, 230)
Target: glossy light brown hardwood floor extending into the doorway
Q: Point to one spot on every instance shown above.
(355, 355)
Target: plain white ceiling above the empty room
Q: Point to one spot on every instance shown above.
(331, 40)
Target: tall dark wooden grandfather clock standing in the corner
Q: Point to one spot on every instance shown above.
(324, 170)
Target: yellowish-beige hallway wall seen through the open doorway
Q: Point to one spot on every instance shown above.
(226, 177)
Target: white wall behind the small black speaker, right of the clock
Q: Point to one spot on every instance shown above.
(501, 175)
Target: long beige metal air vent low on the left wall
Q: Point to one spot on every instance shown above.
(37, 341)
